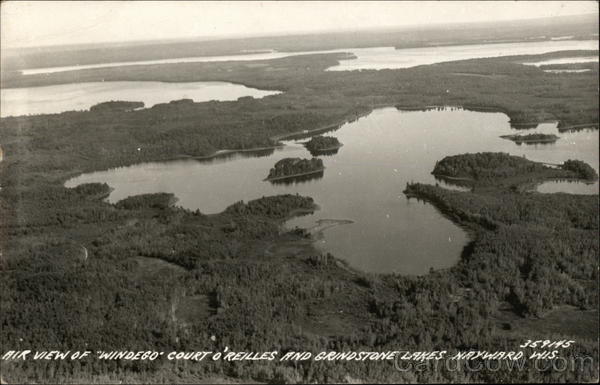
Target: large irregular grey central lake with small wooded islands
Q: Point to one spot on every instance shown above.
(363, 182)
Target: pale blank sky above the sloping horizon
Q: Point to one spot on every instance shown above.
(41, 23)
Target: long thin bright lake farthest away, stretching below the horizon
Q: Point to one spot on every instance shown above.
(372, 58)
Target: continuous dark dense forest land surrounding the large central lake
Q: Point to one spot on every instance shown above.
(144, 274)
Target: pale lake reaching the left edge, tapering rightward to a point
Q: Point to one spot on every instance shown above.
(81, 96)
